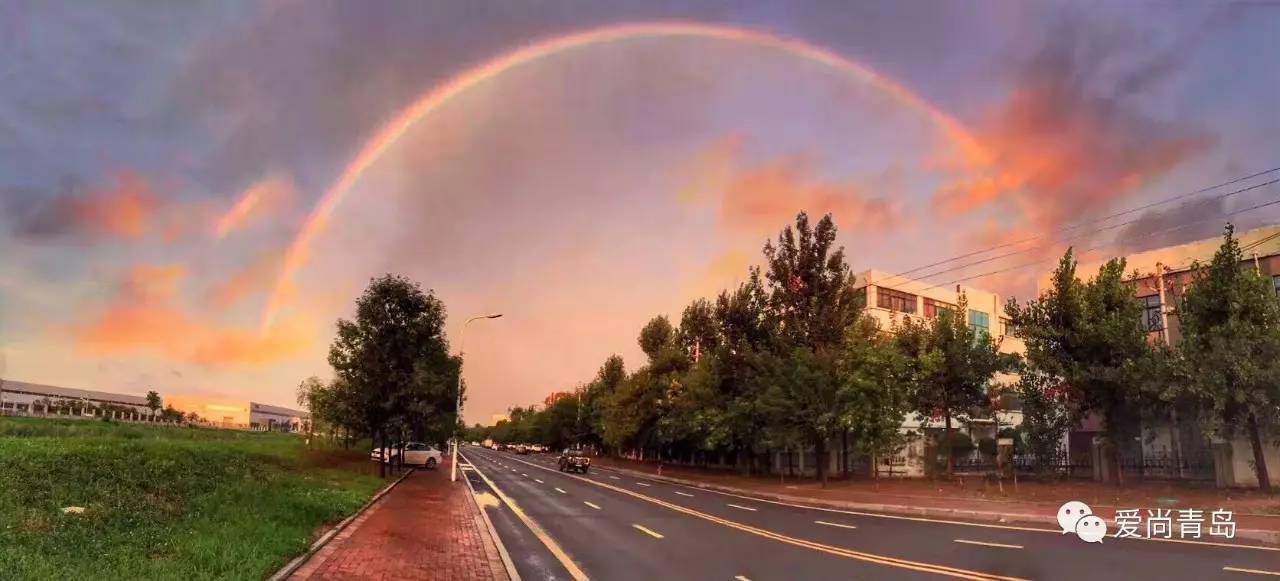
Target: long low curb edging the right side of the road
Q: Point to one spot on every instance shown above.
(1269, 538)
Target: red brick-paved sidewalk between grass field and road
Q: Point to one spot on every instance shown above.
(426, 529)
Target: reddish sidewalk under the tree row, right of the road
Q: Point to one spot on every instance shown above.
(1258, 516)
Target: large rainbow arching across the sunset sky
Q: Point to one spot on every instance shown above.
(431, 102)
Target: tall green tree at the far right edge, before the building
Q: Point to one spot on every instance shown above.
(1231, 326)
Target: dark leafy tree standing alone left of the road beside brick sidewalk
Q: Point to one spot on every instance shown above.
(395, 359)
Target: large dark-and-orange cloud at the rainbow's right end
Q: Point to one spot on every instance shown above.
(1072, 139)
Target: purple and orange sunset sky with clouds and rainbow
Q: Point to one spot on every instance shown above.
(579, 167)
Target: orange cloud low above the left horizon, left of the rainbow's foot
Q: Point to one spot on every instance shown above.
(147, 318)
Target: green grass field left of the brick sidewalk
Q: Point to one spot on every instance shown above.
(164, 504)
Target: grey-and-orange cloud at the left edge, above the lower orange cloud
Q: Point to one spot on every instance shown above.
(125, 209)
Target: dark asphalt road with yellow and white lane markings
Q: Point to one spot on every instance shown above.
(612, 527)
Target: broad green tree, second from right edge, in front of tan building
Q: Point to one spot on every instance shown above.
(1089, 337)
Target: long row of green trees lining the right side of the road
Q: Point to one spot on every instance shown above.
(789, 360)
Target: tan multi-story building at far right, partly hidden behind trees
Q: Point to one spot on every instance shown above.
(1160, 277)
